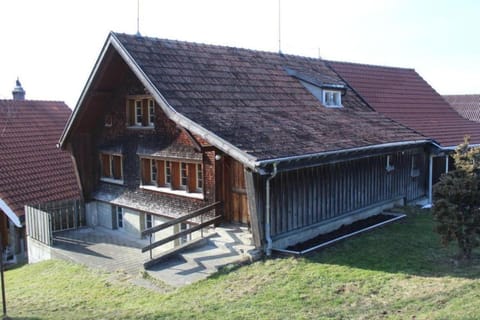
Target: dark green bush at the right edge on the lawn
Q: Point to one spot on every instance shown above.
(456, 203)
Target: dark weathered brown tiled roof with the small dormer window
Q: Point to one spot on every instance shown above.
(247, 98)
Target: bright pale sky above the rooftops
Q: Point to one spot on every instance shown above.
(52, 45)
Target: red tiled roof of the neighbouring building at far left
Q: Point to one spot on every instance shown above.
(32, 169)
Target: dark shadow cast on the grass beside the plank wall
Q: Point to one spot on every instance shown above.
(410, 246)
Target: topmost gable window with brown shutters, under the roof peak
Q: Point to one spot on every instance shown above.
(140, 112)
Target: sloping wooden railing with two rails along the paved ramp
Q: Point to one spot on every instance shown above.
(194, 214)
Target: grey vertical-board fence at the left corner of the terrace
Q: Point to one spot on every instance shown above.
(45, 219)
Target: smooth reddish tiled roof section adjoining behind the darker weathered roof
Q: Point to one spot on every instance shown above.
(402, 95)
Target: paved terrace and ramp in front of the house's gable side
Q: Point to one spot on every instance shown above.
(116, 251)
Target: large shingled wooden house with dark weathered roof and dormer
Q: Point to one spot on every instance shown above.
(165, 127)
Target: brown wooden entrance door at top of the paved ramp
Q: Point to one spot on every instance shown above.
(236, 207)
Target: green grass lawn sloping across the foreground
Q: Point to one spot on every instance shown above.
(397, 272)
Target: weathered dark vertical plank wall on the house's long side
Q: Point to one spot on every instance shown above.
(308, 196)
